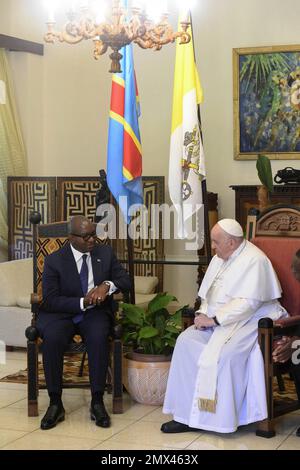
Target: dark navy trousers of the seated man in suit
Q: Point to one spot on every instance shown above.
(95, 329)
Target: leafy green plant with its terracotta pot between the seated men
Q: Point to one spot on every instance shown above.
(149, 335)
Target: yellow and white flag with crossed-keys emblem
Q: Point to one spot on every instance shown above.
(187, 165)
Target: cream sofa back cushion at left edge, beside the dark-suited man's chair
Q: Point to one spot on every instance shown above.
(16, 283)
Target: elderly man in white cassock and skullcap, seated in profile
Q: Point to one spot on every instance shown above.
(216, 380)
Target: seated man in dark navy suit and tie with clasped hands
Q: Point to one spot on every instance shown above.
(78, 281)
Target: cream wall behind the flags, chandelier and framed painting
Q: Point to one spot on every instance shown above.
(63, 97)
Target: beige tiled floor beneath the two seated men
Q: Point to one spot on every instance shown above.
(137, 428)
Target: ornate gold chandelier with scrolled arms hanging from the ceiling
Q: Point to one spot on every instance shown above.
(88, 20)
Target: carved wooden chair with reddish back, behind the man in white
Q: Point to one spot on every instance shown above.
(276, 232)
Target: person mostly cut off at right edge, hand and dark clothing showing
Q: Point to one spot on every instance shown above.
(285, 347)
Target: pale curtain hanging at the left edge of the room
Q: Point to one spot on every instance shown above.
(12, 149)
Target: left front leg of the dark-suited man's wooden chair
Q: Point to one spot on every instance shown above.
(32, 378)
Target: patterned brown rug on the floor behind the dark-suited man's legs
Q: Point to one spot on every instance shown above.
(71, 369)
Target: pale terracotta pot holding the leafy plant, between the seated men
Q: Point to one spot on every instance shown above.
(145, 377)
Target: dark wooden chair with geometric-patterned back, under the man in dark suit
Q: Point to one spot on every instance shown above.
(47, 239)
